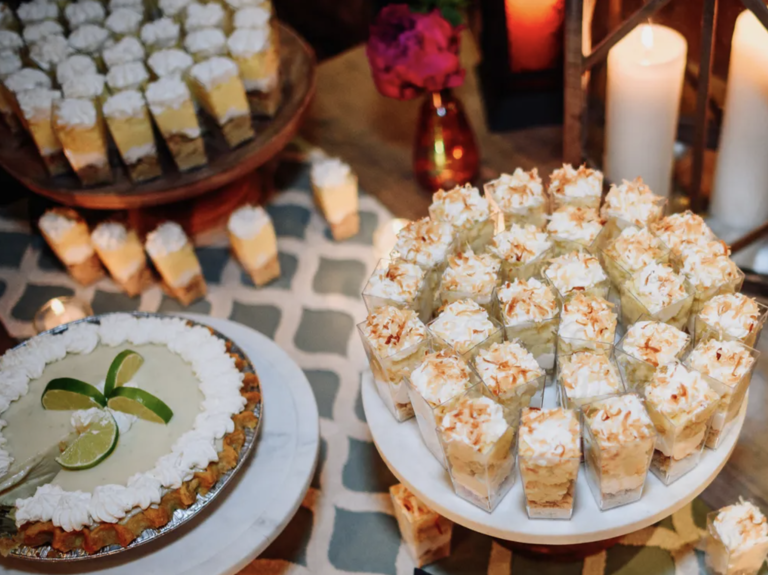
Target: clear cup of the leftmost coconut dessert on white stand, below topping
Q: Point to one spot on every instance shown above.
(389, 374)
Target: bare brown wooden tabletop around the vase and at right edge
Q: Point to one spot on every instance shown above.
(350, 119)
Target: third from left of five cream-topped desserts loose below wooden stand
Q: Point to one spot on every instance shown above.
(175, 259)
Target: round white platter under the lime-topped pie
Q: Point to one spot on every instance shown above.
(260, 500)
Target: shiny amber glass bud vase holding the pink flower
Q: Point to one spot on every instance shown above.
(444, 154)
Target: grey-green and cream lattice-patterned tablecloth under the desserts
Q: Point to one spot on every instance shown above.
(345, 523)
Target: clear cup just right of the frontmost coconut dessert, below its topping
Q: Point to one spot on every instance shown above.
(607, 466)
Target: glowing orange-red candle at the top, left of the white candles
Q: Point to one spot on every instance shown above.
(535, 33)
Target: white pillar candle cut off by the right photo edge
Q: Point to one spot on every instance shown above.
(740, 190)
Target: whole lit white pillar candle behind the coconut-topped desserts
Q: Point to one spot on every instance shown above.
(645, 82)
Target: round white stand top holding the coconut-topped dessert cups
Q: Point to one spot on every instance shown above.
(406, 455)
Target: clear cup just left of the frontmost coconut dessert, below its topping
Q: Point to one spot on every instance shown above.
(481, 478)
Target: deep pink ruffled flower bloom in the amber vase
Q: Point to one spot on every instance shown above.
(413, 53)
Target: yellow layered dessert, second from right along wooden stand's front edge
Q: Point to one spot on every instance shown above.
(219, 89)
